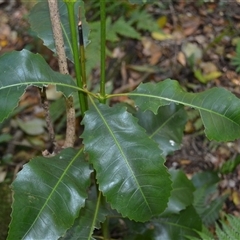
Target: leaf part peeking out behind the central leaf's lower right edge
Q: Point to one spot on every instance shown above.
(181, 195)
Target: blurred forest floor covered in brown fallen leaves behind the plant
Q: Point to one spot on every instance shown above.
(199, 42)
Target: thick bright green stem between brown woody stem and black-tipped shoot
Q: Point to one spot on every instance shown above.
(73, 28)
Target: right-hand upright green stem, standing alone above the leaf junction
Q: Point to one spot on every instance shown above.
(103, 51)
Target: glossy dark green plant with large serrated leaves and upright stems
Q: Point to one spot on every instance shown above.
(119, 172)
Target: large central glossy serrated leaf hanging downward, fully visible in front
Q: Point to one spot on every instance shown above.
(129, 168)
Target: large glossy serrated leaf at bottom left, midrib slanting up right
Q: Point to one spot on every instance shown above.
(48, 194)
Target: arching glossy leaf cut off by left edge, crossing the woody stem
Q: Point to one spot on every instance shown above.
(21, 69)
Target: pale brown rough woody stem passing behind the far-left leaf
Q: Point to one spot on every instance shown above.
(62, 62)
